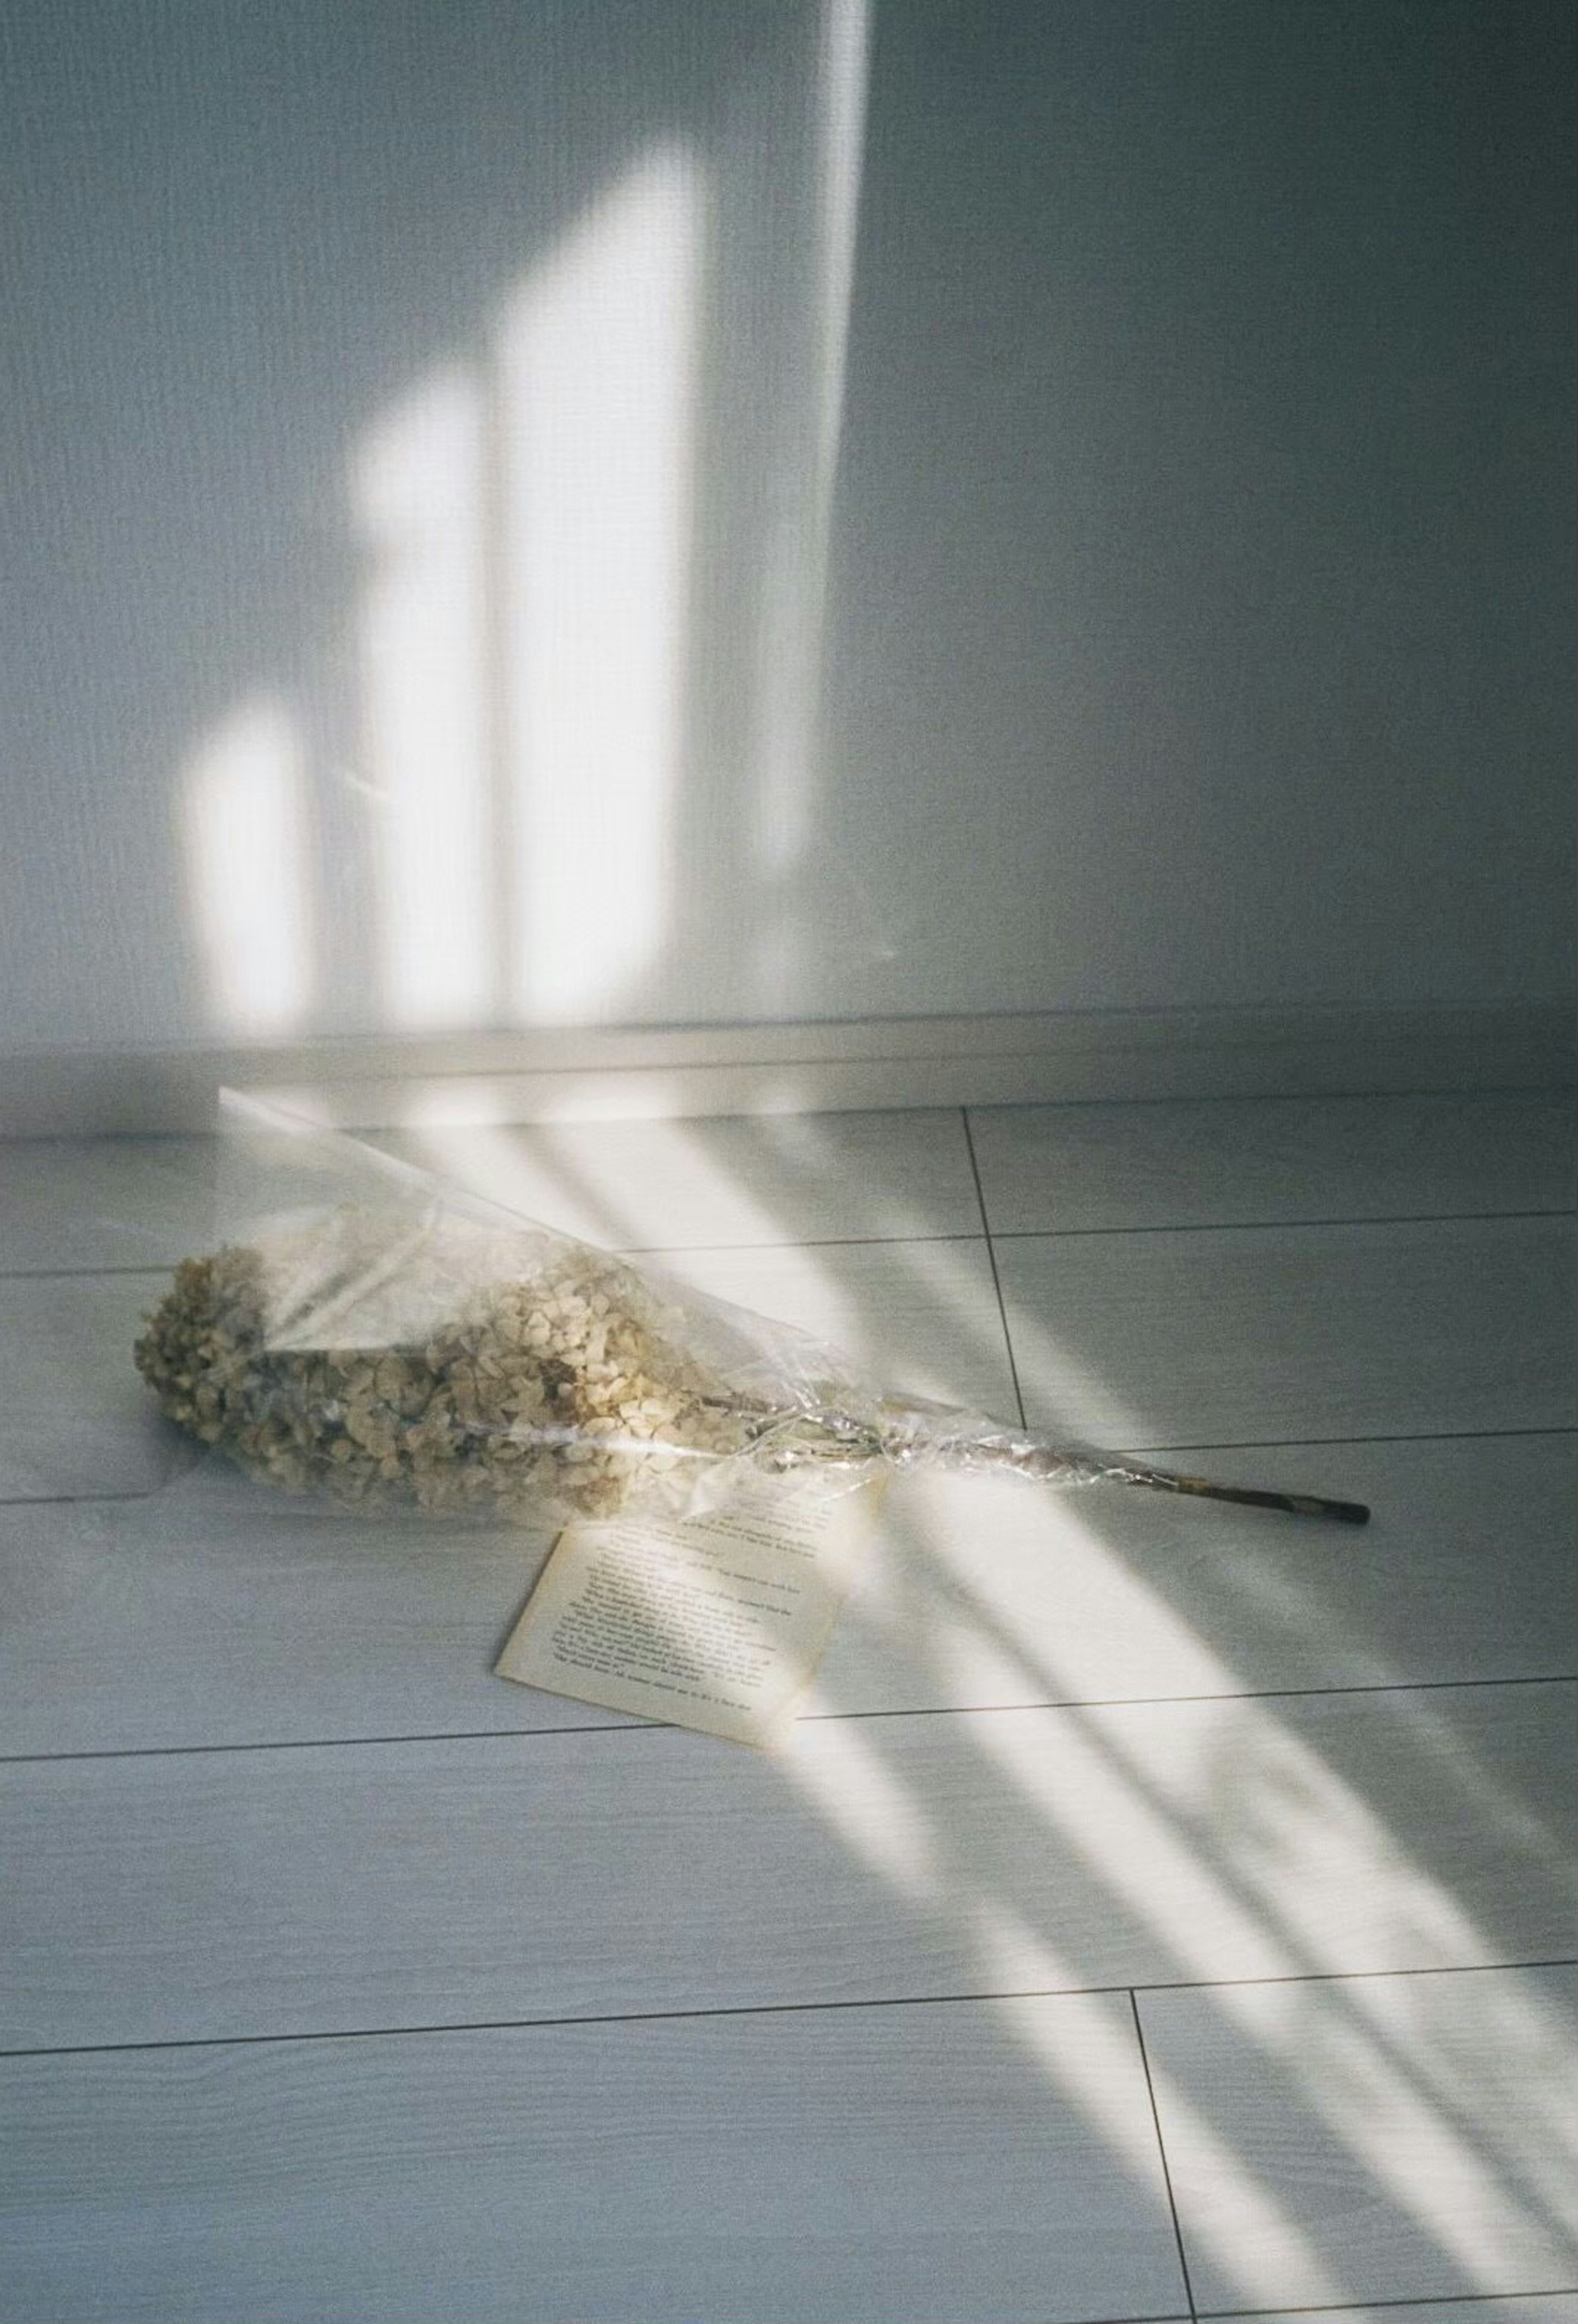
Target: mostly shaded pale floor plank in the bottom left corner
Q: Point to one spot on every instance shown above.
(894, 2167)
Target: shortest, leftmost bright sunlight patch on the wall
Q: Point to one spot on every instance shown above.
(245, 847)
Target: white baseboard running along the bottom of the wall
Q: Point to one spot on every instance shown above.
(991, 1061)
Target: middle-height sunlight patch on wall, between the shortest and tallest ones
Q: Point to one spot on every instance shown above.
(422, 643)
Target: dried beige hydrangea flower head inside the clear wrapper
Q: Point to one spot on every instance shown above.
(436, 1363)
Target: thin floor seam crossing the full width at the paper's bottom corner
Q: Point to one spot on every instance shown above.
(812, 1719)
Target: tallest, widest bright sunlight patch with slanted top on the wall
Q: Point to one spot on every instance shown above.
(598, 359)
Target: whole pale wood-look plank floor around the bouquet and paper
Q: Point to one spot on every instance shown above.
(1156, 1918)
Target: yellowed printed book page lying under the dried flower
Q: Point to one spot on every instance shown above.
(715, 1621)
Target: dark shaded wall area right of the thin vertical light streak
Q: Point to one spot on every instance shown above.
(1205, 615)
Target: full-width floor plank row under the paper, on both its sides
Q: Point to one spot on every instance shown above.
(227, 1614)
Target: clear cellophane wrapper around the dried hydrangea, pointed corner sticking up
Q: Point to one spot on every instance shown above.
(389, 1342)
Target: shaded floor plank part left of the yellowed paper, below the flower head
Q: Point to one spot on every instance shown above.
(217, 1612)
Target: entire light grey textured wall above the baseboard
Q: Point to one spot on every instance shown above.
(1196, 580)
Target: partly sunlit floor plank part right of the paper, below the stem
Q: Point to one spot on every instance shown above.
(1005, 1593)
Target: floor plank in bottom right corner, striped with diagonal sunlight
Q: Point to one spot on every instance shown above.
(1372, 2139)
